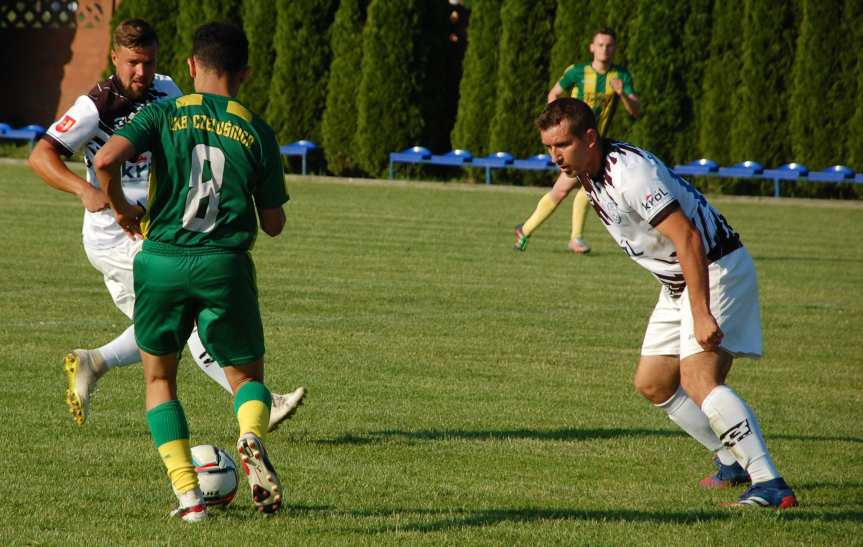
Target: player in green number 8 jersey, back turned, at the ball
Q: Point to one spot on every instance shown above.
(216, 172)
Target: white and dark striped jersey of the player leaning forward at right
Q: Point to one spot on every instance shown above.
(634, 192)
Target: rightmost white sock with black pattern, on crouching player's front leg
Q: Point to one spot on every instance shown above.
(735, 424)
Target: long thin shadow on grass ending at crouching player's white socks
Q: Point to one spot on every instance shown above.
(564, 434)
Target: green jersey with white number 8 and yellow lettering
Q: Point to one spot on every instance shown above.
(213, 163)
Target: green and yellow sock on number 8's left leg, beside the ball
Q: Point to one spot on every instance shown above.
(170, 432)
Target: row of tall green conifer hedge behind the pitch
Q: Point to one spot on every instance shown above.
(767, 80)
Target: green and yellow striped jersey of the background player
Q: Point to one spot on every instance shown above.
(585, 83)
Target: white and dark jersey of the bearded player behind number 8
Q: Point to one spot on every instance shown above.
(88, 124)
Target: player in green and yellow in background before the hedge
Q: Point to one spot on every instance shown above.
(602, 85)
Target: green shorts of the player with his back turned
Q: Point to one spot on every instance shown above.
(176, 288)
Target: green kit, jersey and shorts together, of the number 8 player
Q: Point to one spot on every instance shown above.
(213, 164)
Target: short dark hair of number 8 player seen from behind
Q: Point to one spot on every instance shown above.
(222, 47)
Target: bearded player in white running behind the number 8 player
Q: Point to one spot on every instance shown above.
(87, 125)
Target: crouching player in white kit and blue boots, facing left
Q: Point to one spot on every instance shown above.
(707, 313)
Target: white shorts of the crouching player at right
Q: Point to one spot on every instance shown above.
(733, 302)
